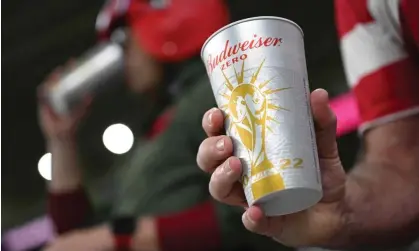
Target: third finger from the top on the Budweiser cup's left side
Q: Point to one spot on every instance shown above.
(224, 184)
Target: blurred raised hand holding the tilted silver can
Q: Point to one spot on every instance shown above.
(57, 127)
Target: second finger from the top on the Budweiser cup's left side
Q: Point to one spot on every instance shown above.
(213, 151)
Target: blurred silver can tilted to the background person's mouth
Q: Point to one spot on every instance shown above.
(97, 69)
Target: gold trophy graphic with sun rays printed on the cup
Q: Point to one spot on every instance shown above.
(247, 108)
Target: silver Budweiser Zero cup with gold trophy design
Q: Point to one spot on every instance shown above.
(258, 73)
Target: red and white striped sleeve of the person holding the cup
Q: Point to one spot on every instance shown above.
(380, 52)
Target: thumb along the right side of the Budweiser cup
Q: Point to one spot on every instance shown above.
(332, 173)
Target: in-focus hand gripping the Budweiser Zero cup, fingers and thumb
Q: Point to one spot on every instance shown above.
(313, 227)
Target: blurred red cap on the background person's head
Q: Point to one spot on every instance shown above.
(178, 29)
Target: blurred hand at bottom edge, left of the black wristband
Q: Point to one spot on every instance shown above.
(96, 239)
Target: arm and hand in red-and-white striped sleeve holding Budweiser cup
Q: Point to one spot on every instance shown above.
(375, 205)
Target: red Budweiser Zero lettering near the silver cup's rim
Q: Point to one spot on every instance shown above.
(231, 52)
